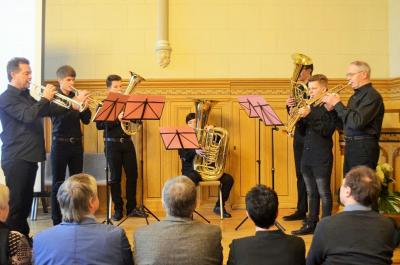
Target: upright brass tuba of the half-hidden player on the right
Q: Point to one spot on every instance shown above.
(298, 90)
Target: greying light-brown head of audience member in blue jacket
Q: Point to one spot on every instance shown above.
(77, 197)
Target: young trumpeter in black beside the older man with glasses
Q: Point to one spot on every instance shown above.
(317, 157)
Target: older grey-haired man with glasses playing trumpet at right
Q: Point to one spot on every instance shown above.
(361, 119)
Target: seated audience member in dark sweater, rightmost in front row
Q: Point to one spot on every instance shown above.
(358, 235)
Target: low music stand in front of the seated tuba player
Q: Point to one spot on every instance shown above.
(176, 138)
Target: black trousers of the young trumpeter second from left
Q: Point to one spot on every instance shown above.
(63, 155)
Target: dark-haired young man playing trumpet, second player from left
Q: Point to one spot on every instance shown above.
(66, 149)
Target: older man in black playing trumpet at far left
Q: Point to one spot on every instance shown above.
(23, 138)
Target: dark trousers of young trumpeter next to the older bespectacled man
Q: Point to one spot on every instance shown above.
(317, 180)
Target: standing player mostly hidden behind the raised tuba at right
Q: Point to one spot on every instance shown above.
(298, 143)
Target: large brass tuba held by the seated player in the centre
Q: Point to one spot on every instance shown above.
(214, 142)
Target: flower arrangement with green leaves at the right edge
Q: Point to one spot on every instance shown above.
(389, 201)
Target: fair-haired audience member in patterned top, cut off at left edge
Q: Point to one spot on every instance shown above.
(14, 246)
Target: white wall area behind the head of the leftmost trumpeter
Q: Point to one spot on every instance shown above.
(21, 32)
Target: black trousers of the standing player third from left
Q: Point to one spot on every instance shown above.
(122, 155)
